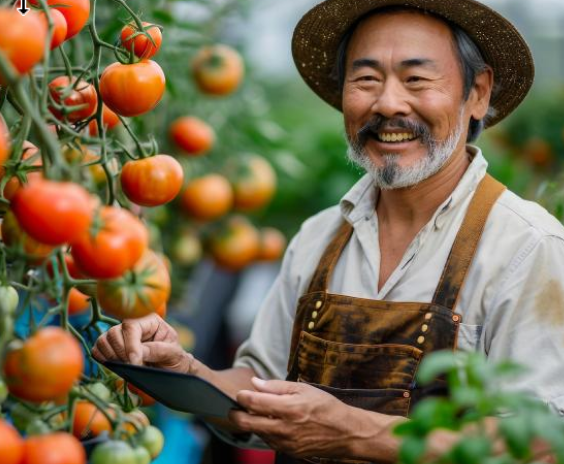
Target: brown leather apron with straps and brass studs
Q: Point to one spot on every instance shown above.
(366, 352)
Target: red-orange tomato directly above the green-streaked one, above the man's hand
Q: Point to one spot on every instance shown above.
(116, 243)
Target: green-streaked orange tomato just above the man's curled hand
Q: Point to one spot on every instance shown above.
(139, 292)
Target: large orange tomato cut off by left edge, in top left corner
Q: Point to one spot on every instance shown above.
(22, 49)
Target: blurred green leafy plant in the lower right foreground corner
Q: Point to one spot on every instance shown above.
(527, 429)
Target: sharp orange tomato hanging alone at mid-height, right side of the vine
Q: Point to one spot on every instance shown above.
(152, 181)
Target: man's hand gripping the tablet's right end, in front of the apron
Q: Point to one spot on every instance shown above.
(296, 418)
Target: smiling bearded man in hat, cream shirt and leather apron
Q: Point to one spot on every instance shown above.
(425, 252)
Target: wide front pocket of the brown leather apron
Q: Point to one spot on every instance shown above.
(356, 367)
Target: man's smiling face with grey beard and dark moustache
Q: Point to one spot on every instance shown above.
(403, 102)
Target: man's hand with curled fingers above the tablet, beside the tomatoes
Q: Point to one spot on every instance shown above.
(146, 340)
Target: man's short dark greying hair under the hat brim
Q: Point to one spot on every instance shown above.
(471, 61)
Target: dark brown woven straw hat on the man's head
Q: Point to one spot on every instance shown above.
(318, 35)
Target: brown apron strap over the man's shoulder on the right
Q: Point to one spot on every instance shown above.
(466, 242)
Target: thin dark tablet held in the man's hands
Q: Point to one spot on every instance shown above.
(181, 392)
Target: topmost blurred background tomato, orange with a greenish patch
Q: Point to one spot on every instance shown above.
(218, 70)
